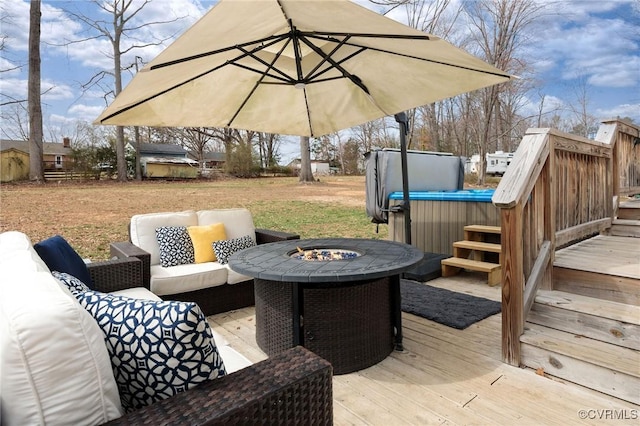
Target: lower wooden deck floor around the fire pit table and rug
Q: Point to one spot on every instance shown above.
(449, 376)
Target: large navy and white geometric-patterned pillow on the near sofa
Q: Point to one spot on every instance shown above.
(157, 349)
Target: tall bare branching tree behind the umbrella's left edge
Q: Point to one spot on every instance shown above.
(122, 27)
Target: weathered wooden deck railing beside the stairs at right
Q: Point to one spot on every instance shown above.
(559, 188)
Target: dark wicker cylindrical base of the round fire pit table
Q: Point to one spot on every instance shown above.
(349, 324)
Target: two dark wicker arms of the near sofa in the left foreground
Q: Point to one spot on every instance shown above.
(292, 388)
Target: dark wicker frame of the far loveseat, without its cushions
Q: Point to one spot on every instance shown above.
(213, 300)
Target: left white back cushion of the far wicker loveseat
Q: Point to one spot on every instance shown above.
(143, 229)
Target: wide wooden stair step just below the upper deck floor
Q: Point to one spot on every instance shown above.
(611, 322)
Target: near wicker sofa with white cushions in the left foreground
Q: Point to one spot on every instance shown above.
(48, 379)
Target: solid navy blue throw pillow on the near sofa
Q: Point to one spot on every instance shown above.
(59, 256)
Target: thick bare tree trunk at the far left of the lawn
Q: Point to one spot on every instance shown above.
(36, 155)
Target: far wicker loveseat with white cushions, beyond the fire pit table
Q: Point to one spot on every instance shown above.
(214, 286)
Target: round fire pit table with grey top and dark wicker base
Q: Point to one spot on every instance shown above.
(347, 310)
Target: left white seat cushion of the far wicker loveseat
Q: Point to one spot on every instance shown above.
(183, 278)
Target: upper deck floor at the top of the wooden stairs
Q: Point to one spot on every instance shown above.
(612, 255)
